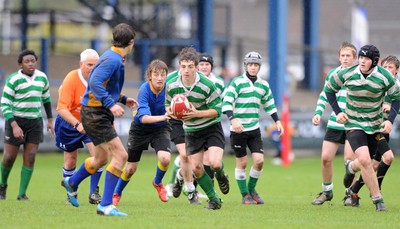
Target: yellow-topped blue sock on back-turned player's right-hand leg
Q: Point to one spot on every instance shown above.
(110, 182)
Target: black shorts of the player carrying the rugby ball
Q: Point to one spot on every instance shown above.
(203, 139)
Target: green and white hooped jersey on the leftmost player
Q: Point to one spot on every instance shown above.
(24, 95)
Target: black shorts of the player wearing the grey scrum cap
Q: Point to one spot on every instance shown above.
(251, 139)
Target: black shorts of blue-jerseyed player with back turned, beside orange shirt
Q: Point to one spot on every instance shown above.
(98, 123)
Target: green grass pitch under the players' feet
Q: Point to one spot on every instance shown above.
(288, 192)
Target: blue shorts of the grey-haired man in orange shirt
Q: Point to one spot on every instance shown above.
(68, 139)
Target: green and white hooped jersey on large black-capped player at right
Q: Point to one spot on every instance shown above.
(365, 96)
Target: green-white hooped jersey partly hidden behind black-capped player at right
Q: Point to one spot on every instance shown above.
(323, 102)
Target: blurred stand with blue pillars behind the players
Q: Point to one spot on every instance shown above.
(298, 39)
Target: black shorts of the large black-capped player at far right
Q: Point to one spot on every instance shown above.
(358, 138)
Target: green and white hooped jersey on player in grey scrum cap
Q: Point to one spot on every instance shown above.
(246, 99)
